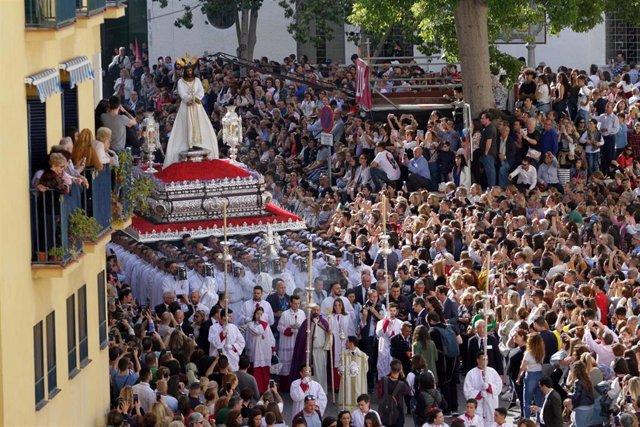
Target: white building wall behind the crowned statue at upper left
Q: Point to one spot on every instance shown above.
(273, 40)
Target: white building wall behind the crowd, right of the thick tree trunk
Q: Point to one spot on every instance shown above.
(568, 48)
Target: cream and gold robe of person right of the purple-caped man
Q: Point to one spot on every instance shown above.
(353, 381)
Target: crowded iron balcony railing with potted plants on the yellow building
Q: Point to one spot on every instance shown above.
(52, 239)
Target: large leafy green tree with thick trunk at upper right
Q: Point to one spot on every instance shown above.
(466, 30)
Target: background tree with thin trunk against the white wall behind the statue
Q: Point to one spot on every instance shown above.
(307, 21)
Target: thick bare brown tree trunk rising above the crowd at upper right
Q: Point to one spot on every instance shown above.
(473, 45)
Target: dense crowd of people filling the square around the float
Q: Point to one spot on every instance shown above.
(511, 276)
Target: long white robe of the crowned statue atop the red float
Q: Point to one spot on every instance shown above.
(192, 127)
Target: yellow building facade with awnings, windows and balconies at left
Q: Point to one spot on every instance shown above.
(53, 332)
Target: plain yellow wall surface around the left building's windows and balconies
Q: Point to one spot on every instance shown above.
(27, 294)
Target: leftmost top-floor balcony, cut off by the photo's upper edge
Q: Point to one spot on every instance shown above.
(49, 14)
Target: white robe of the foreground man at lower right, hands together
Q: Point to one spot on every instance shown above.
(488, 399)
